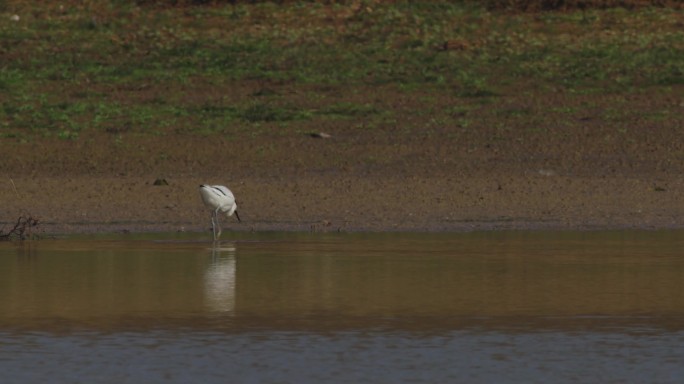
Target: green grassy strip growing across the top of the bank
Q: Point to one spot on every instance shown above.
(117, 67)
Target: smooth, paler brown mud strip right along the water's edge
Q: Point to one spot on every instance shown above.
(69, 205)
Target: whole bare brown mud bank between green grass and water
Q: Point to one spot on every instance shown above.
(589, 173)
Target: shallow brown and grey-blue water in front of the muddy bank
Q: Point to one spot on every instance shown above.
(270, 307)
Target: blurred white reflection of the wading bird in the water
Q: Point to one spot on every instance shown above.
(219, 281)
